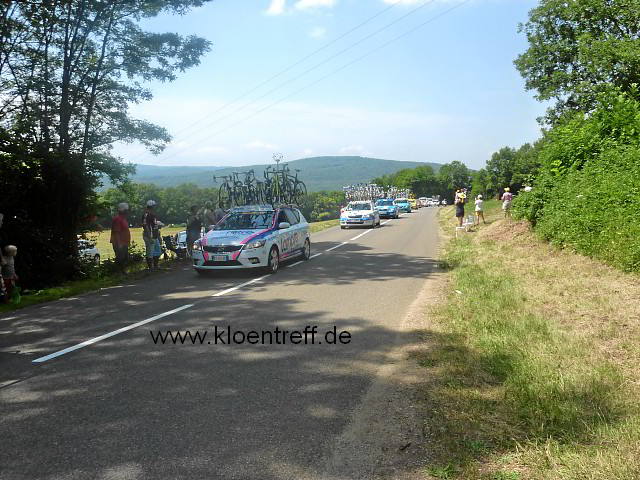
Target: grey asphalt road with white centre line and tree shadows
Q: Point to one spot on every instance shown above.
(126, 408)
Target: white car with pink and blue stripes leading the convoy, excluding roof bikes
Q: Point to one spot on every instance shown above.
(251, 237)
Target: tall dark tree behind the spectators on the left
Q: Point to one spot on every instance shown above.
(68, 72)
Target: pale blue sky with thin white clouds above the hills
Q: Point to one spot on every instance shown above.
(446, 91)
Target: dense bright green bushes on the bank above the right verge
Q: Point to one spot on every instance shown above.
(586, 195)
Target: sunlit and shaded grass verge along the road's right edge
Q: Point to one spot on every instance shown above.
(532, 362)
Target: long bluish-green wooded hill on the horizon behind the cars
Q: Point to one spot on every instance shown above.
(318, 173)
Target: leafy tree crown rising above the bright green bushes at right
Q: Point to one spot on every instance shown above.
(578, 48)
